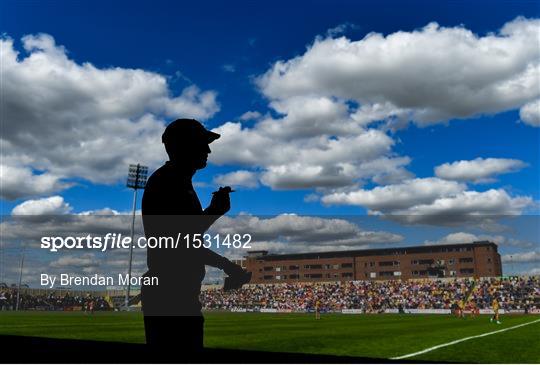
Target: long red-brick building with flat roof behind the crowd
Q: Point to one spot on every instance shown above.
(477, 259)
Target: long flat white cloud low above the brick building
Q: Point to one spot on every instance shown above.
(433, 201)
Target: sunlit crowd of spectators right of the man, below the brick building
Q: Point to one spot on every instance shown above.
(377, 296)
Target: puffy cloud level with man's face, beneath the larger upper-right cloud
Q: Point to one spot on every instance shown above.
(319, 160)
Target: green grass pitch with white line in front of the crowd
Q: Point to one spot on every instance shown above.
(378, 336)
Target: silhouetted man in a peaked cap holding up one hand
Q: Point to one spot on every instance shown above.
(170, 206)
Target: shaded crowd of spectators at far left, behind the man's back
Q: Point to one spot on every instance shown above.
(51, 301)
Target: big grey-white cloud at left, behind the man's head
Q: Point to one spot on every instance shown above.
(70, 119)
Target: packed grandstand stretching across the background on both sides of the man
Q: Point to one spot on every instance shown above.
(515, 294)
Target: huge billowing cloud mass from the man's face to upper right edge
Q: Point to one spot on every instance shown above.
(328, 98)
